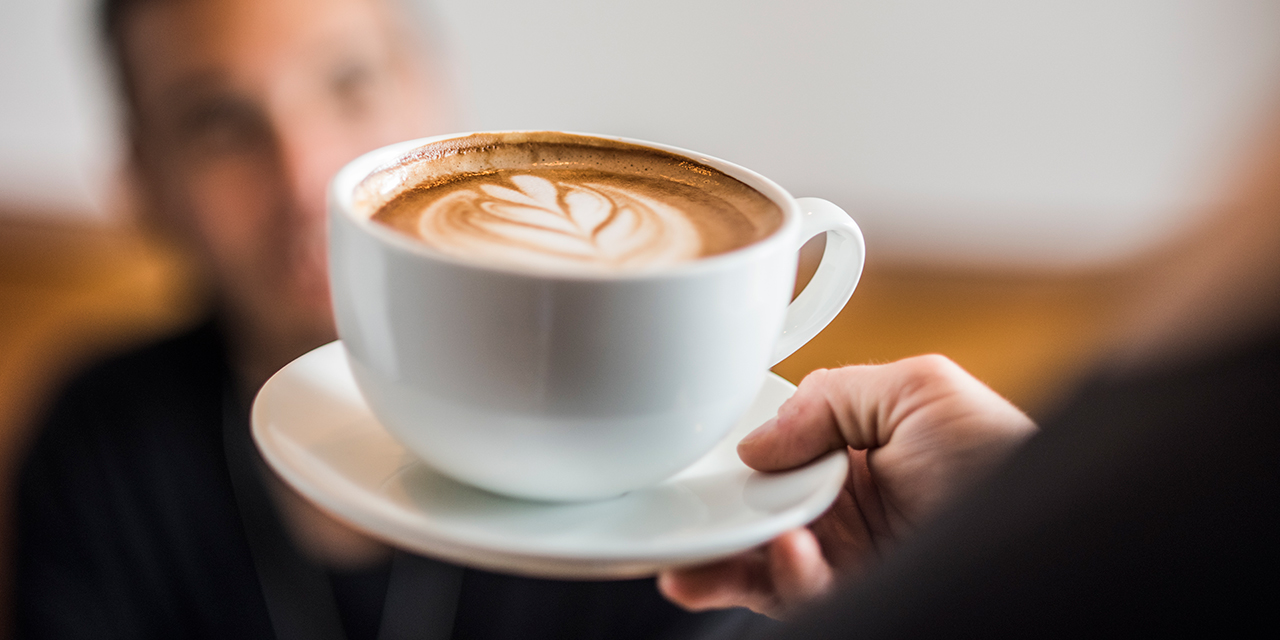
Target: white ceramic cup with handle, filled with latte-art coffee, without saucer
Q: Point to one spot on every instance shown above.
(568, 318)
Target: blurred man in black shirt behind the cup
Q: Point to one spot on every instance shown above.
(144, 510)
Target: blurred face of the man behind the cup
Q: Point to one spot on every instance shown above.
(245, 111)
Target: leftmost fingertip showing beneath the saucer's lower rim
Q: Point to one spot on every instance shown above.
(739, 582)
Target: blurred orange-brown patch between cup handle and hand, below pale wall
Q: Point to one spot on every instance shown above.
(1027, 336)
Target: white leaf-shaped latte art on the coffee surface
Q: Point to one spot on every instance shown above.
(527, 220)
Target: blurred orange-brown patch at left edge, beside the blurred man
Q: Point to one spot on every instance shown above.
(68, 294)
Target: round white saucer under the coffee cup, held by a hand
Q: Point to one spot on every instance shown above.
(314, 428)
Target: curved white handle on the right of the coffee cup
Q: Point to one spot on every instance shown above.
(833, 284)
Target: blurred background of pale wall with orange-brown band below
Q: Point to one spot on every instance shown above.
(1009, 162)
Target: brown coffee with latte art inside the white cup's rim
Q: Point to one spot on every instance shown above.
(565, 203)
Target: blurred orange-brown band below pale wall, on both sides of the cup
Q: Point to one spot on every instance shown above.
(71, 292)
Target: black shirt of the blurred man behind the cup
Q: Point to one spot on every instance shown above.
(129, 528)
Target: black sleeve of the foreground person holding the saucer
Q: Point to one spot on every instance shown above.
(1150, 508)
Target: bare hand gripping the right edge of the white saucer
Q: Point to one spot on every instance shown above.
(918, 432)
